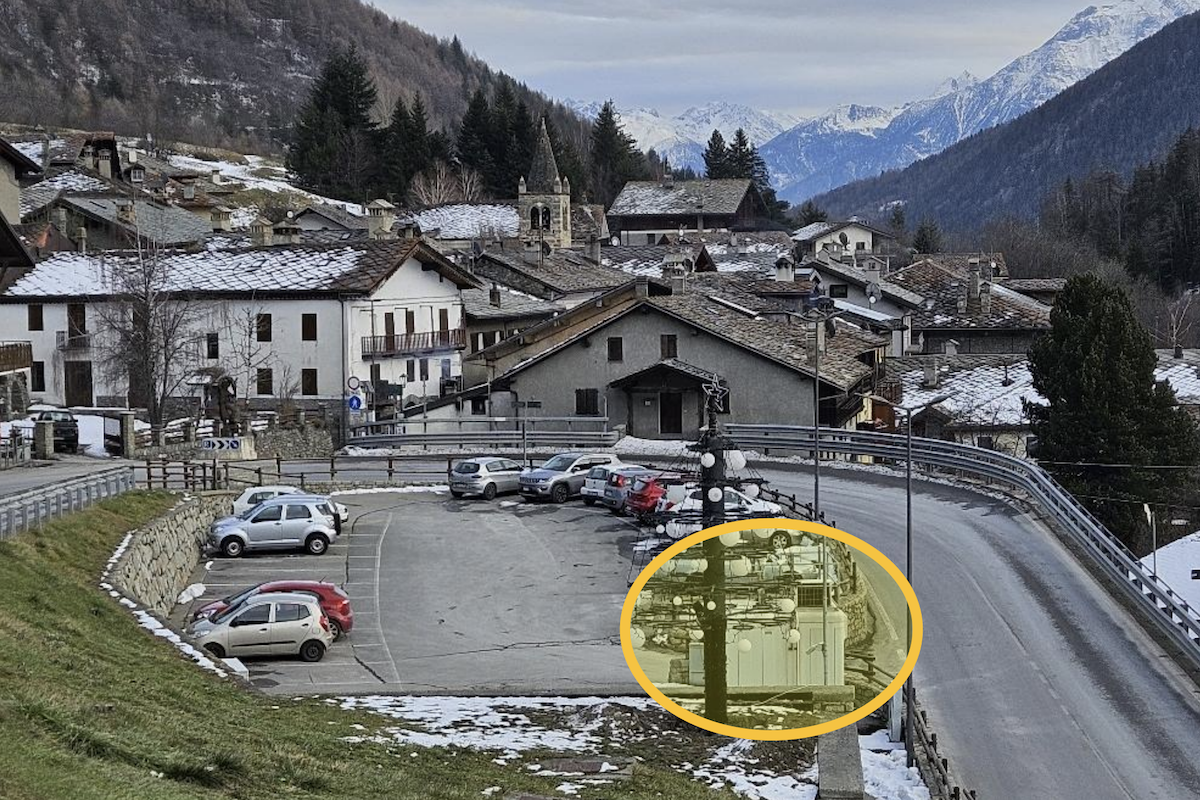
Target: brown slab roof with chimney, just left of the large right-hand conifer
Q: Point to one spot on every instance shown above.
(946, 288)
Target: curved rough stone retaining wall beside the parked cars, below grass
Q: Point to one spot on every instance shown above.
(163, 556)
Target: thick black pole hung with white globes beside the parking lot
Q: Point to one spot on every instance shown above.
(712, 477)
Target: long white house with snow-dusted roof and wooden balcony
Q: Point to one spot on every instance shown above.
(283, 320)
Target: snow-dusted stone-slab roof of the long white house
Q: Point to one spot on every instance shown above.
(278, 269)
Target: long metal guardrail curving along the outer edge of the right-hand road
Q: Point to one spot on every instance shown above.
(1172, 612)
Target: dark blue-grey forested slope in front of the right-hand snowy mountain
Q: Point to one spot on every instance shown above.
(1127, 113)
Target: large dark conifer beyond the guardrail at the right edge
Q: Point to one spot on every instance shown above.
(1096, 370)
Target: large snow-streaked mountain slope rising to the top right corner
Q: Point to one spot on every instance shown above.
(854, 142)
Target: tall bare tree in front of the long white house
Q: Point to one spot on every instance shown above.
(147, 338)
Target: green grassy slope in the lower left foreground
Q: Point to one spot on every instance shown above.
(92, 706)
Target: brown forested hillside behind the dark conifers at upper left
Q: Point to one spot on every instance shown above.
(223, 73)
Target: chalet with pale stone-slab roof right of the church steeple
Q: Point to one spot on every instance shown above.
(647, 212)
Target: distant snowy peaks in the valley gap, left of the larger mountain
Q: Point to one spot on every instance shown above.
(682, 139)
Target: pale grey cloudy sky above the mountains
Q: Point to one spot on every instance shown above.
(802, 57)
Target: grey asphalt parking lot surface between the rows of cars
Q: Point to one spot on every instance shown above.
(459, 597)
